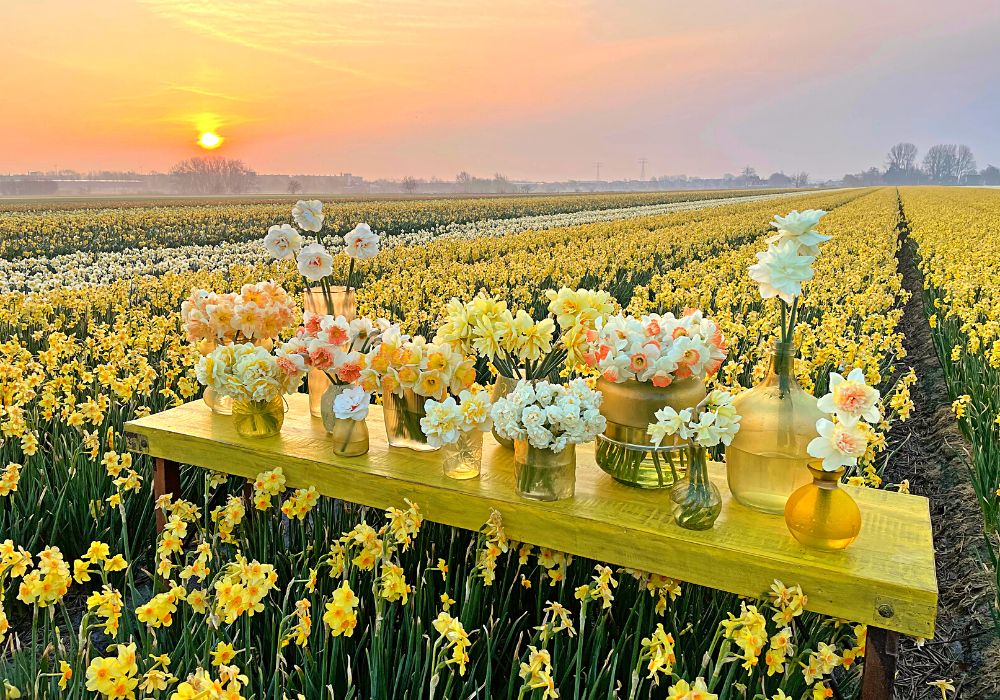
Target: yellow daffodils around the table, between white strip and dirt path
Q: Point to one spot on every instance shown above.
(449, 611)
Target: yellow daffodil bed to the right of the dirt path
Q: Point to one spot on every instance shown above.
(962, 300)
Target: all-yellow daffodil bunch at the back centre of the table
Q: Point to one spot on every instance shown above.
(518, 346)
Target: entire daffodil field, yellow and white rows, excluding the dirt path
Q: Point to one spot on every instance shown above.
(256, 591)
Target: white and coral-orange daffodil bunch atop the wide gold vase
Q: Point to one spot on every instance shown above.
(655, 348)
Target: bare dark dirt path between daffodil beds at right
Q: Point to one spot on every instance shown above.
(932, 455)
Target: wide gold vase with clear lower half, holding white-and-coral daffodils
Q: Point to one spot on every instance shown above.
(624, 450)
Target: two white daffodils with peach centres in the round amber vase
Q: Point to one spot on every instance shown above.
(844, 440)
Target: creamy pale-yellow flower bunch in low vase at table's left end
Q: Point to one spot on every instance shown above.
(247, 372)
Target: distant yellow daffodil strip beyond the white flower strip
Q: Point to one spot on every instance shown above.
(26, 234)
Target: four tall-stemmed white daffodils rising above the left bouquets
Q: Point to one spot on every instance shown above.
(313, 259)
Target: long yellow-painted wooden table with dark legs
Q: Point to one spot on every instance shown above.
(886, 579)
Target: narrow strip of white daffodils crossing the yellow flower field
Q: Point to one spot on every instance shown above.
(90, 268)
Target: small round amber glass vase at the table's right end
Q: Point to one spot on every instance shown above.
(822, 515)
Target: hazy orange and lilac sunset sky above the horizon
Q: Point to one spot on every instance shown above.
(533, 89)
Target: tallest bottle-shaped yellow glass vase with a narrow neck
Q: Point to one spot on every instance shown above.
(767, 459)
